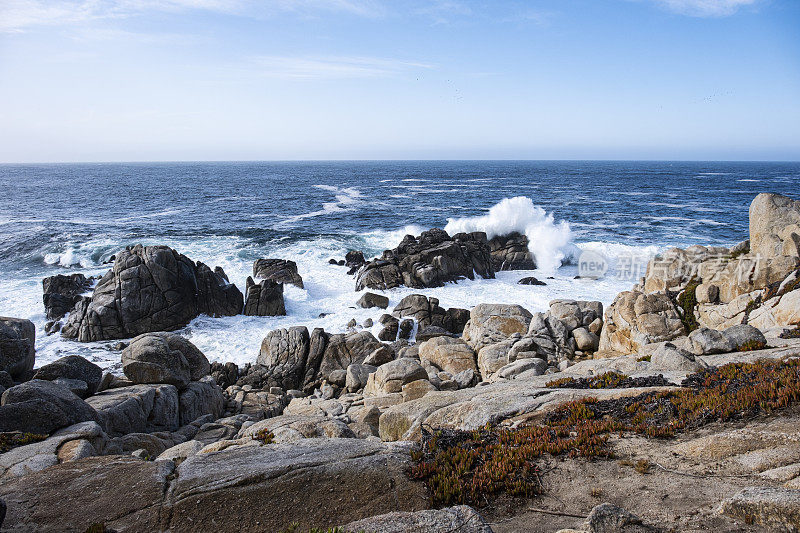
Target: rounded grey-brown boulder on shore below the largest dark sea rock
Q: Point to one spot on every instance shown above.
(163, 358)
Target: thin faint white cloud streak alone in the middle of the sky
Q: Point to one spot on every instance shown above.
(331, 67)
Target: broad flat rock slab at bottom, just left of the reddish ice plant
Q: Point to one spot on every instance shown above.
(316, 482)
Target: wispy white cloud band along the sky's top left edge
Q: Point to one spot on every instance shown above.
(19, 15)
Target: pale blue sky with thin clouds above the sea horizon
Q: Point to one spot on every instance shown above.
(170, 80)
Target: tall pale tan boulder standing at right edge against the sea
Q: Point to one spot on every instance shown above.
(774, 226)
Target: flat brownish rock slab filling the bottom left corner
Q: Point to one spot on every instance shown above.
(122, 492)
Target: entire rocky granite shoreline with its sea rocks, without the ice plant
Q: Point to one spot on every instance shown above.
(321, 429)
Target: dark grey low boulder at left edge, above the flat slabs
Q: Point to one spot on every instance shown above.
(41, 407)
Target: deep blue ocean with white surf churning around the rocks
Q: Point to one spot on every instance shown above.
(65, 218)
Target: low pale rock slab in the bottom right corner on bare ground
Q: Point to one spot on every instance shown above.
(775, 508)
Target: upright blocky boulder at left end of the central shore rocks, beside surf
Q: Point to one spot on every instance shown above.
(284, 352)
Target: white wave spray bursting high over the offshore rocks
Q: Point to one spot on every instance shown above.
(548, 240)
